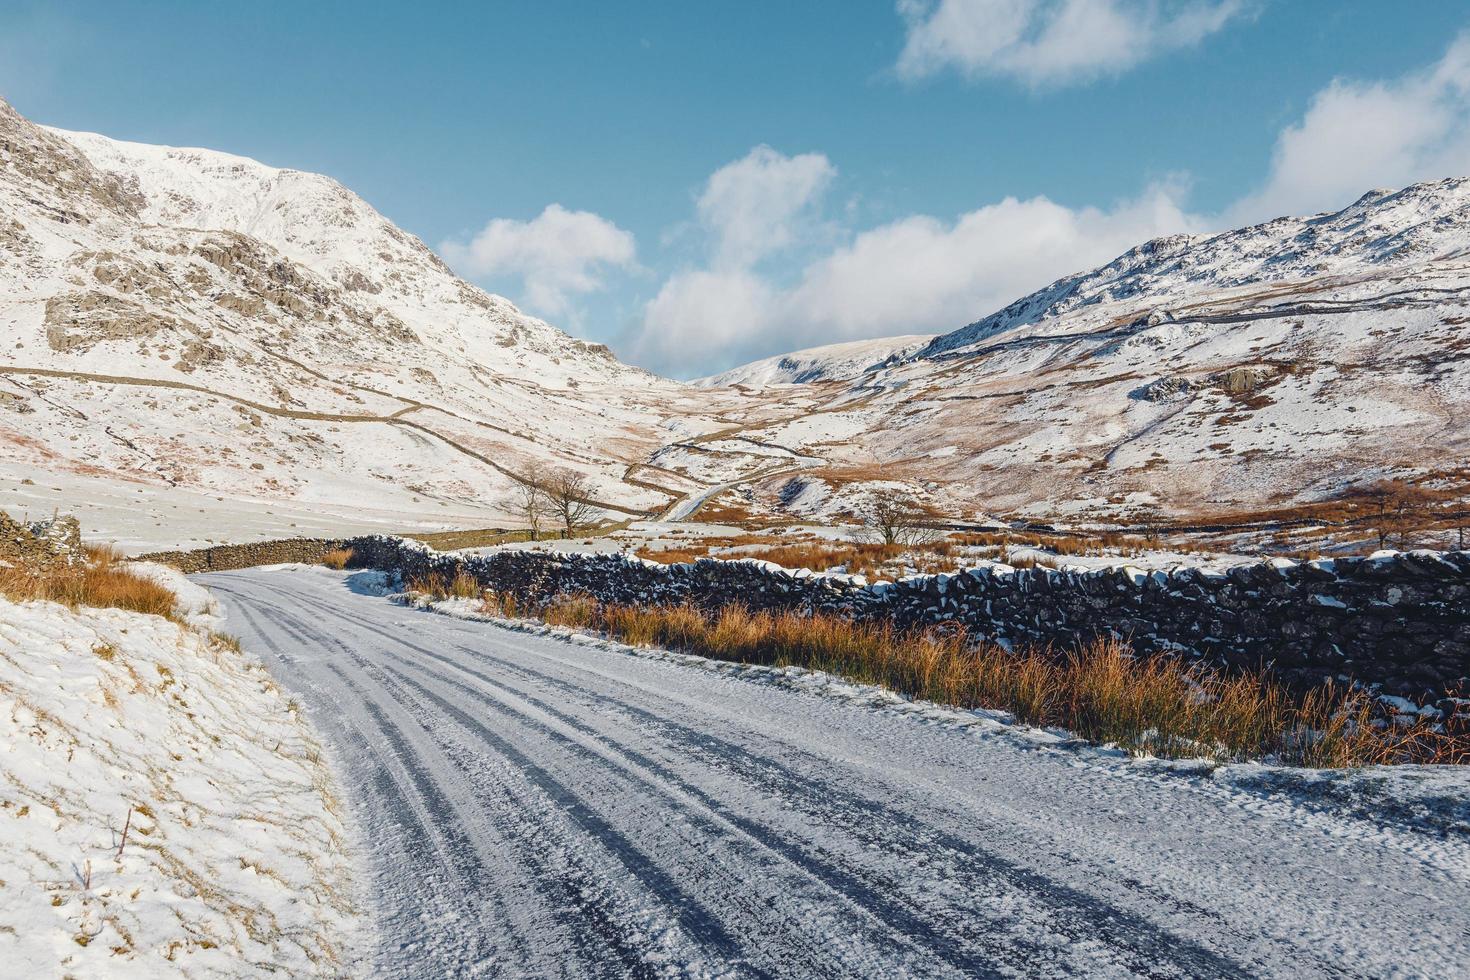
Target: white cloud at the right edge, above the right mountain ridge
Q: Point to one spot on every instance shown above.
(1360, 136)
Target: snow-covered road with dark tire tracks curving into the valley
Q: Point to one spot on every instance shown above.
(531, 807)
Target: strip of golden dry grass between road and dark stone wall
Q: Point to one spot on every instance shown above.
(1103, 693)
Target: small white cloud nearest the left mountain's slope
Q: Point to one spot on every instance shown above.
(556, 255)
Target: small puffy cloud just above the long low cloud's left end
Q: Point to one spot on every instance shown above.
(753, 205)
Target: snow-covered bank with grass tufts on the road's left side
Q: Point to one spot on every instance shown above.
(236, 860)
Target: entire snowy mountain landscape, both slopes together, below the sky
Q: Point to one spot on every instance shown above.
(204, 347)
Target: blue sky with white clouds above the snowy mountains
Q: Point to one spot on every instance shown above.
(733, 180)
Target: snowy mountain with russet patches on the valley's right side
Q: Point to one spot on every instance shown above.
(1193, 375)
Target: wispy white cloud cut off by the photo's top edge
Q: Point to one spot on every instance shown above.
(1052, 42)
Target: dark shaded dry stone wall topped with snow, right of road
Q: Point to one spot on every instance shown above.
(1399, 621)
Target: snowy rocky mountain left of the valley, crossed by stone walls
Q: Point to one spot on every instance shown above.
(204, 327)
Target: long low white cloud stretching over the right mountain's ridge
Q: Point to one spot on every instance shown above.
(915, 275)
